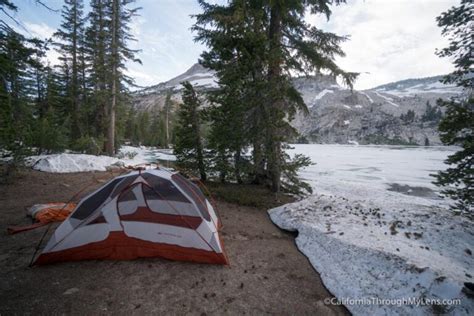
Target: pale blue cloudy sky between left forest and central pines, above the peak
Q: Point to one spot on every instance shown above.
(165, 39)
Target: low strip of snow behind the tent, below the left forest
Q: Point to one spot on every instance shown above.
(69, 162)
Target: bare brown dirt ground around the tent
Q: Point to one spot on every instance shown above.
(267, 275)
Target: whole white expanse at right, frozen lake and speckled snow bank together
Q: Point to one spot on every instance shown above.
(376, 230)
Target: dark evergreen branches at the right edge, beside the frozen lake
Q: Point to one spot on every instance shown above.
(456, 127)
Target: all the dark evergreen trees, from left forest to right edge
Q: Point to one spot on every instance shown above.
(84, 103)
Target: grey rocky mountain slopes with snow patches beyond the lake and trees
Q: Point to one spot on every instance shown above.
(337, 114)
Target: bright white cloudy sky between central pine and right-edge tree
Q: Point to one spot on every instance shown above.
(389, 39)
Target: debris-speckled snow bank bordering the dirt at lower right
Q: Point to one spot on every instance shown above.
(363, 251)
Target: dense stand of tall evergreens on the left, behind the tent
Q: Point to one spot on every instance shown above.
(81, 104)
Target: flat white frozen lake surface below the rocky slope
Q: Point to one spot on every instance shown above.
(341, 167)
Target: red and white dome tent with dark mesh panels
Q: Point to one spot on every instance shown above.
(152, 213)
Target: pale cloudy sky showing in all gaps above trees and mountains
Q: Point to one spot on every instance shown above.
(390, 40)
